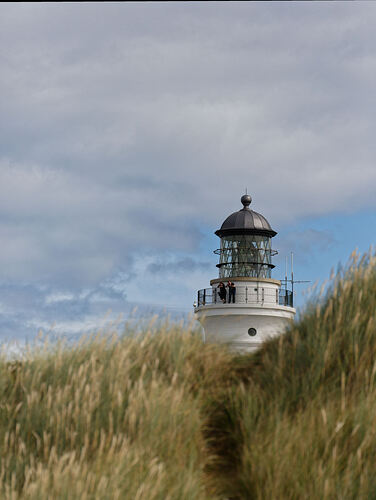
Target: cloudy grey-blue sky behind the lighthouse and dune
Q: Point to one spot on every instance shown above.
(129, 132)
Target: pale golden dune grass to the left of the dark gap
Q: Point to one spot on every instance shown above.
(108, 418)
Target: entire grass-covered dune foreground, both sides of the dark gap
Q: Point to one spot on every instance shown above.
(165, 417)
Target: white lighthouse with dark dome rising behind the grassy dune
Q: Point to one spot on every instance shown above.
(259, 308)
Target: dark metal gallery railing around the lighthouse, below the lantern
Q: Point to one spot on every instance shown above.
(246, 295)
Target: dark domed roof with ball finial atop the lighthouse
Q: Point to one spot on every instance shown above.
(245, 221)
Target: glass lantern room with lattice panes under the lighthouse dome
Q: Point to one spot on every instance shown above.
(245, 256)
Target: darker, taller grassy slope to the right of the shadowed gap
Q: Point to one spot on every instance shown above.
(305, 417)
